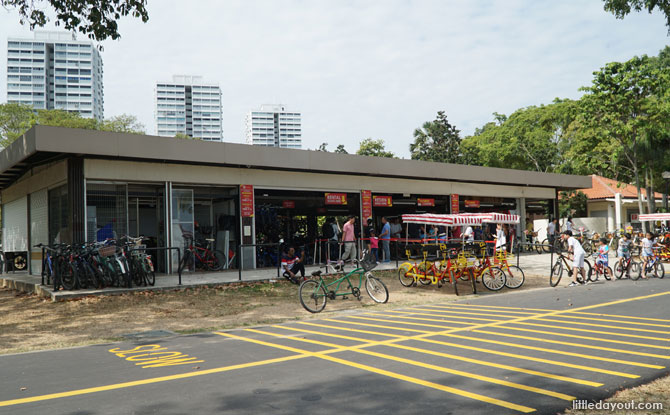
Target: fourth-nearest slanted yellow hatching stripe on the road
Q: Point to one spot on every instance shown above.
(397, 338)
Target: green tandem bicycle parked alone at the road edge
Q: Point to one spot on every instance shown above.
(314, 293)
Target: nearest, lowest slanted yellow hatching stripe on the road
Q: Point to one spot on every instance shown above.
(324, 355)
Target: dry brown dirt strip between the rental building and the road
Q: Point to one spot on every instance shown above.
(32, 323)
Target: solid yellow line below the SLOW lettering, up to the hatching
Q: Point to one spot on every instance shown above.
(134, 383)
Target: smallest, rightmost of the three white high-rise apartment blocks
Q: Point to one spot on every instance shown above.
(273, 126)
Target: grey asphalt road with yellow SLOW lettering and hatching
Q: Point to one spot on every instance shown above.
(516, 352)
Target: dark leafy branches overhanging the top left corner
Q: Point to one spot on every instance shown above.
(97, 19)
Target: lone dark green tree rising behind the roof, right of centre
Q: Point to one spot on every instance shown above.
(437, 141)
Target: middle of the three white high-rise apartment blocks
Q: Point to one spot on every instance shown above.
(188, 105)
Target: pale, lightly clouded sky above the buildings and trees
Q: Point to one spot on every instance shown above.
(359, 69)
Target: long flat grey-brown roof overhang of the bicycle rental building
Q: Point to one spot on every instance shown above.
(43, 143)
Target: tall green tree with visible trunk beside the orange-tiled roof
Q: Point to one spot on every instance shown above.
(628, 103)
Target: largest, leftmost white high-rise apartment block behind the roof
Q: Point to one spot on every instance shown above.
(55, 71)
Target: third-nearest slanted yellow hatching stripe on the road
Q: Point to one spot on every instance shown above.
(454, 357)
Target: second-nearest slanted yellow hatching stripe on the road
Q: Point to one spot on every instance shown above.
(427, 366)
